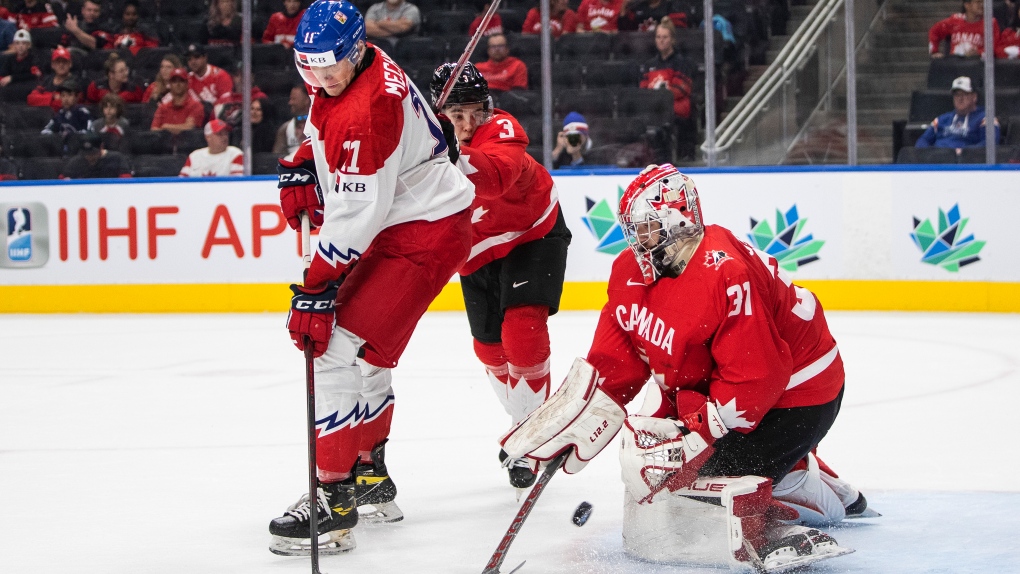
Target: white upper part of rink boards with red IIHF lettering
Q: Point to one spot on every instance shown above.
(864, 218)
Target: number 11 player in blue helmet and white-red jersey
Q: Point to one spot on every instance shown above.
(377, 177)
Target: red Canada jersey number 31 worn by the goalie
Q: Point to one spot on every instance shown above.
(732, 327)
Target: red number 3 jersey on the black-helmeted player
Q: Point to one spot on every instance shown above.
(516, 199)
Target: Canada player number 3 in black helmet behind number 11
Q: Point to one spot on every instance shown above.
(514, 278)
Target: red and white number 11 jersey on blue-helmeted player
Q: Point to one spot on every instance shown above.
(382, 161)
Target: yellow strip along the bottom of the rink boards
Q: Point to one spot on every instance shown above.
(253, 298)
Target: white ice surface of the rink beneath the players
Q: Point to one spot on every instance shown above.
(166, 445)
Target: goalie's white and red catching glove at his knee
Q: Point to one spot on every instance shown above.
(661, 454)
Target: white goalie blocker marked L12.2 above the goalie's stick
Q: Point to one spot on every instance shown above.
(580, 419)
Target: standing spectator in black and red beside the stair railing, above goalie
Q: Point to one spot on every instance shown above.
(670, 71)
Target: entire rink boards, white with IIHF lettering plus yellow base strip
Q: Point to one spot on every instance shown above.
(878, 239)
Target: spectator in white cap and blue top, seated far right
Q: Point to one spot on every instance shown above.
(962, 128)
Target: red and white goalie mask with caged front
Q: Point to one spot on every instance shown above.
(661, 219)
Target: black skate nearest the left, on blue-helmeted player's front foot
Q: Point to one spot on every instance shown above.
(337, 516)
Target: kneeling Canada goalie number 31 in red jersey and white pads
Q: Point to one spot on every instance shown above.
(720, 464)
